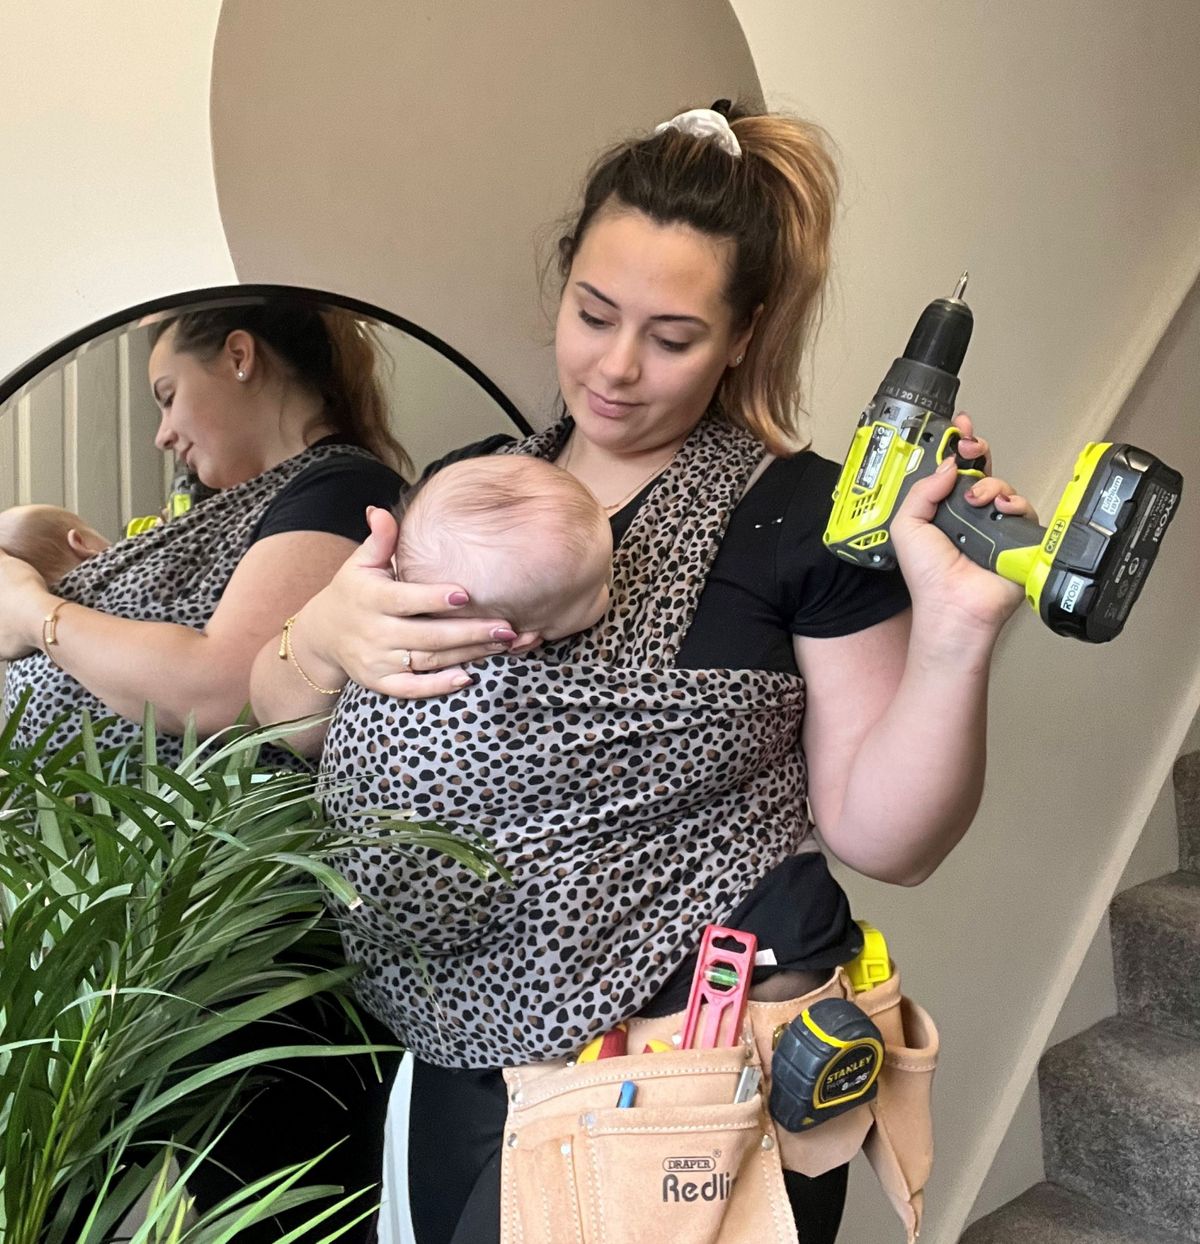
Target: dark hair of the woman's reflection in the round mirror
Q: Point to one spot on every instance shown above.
(329, 353)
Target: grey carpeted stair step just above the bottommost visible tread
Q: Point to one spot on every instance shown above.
(1121, 1121)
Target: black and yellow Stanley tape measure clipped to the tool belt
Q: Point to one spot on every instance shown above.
(826, 1062)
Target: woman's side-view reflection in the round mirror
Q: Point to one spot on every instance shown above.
(277, 406)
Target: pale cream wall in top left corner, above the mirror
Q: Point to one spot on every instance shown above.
(109, 196)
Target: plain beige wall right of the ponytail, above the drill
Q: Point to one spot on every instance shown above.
(1050, 149)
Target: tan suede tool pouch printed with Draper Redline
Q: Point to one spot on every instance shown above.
(685, 1164)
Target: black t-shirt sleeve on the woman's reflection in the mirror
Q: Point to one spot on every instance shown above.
(333, 496)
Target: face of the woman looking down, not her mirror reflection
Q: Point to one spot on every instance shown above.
(645, 333)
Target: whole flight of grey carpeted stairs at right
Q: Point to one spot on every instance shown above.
(1121, 1103)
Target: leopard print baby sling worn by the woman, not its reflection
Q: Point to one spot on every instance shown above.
(632, 803)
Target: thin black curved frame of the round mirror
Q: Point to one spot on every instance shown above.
(224, 294)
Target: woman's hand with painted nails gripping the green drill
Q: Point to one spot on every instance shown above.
(947, 587)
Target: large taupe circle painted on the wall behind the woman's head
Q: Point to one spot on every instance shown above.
(417, 155)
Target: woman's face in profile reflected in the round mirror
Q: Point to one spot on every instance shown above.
(205, 420)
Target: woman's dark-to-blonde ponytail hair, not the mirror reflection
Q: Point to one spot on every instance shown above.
(777, 205)
